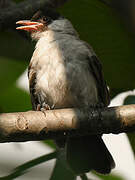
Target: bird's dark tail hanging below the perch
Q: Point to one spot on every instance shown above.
(87, 153)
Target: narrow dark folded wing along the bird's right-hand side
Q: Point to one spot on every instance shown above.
(96, 70)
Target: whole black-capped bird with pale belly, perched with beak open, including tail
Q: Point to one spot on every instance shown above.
(65, 72)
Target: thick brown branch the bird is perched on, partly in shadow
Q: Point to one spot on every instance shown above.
(54, 124)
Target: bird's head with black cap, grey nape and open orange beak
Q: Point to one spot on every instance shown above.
(45, 21)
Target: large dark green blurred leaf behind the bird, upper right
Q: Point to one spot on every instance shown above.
(100, 26)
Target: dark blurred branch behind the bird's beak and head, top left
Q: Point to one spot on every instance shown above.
(24, 10)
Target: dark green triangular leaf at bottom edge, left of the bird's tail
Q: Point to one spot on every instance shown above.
(61, 169)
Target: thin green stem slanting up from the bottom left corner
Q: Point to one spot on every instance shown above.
(22, 169)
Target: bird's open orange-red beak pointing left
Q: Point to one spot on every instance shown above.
(29, 25)
